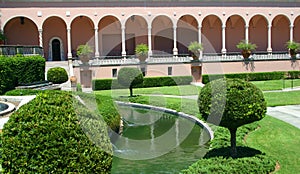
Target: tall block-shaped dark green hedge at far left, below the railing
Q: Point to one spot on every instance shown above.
(20, 70)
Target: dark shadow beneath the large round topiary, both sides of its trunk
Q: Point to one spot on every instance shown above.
(224, 152)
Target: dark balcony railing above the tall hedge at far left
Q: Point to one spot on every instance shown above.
(11, 50)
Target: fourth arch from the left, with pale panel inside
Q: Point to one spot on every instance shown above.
(110, 38)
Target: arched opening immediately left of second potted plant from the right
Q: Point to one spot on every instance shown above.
(235, 32)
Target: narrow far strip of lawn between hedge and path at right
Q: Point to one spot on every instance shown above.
(276, 84)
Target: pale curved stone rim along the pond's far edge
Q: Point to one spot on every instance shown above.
(170, 111)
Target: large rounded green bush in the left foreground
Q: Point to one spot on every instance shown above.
(48, 135)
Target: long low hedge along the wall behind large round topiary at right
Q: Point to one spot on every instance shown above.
(260, 76)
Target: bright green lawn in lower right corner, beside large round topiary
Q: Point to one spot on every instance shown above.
(279, 140)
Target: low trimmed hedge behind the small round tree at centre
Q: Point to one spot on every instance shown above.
(105, 84)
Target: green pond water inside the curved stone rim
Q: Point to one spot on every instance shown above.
(155, 142)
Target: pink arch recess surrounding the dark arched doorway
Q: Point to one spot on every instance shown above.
(54, 27)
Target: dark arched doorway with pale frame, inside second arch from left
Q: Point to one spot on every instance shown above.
(52, 50)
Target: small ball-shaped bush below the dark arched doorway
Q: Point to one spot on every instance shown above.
(57, 75)
